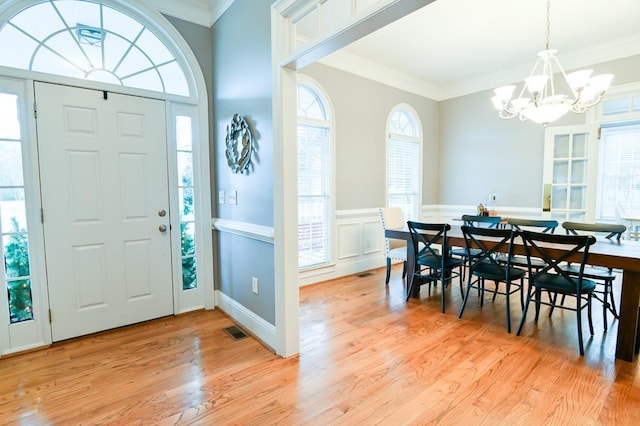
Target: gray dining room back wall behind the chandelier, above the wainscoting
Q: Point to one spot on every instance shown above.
(481, 153)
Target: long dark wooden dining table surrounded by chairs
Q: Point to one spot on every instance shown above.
(622, 255)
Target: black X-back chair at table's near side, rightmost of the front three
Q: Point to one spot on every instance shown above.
(555, 279)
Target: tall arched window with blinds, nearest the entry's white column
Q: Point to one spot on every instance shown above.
(314, 177)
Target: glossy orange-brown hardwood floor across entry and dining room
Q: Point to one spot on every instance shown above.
(366, 357)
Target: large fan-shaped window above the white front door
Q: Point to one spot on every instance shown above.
(91, 41)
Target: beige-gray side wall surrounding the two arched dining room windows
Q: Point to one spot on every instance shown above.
(362, 109)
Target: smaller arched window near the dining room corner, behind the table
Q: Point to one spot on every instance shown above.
(404, 148)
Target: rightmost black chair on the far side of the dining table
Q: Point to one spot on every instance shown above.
(604, 277)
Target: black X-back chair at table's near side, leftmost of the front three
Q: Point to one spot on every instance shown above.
(432, 257)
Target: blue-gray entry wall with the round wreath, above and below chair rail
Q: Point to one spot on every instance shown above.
(242, 84)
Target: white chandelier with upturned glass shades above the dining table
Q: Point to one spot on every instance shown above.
(542, 104)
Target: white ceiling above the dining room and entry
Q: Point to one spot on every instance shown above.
(455, 47)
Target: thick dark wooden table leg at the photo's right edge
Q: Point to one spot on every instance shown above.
(628, 330)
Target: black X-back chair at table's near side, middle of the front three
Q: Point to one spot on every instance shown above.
(484, 266)
